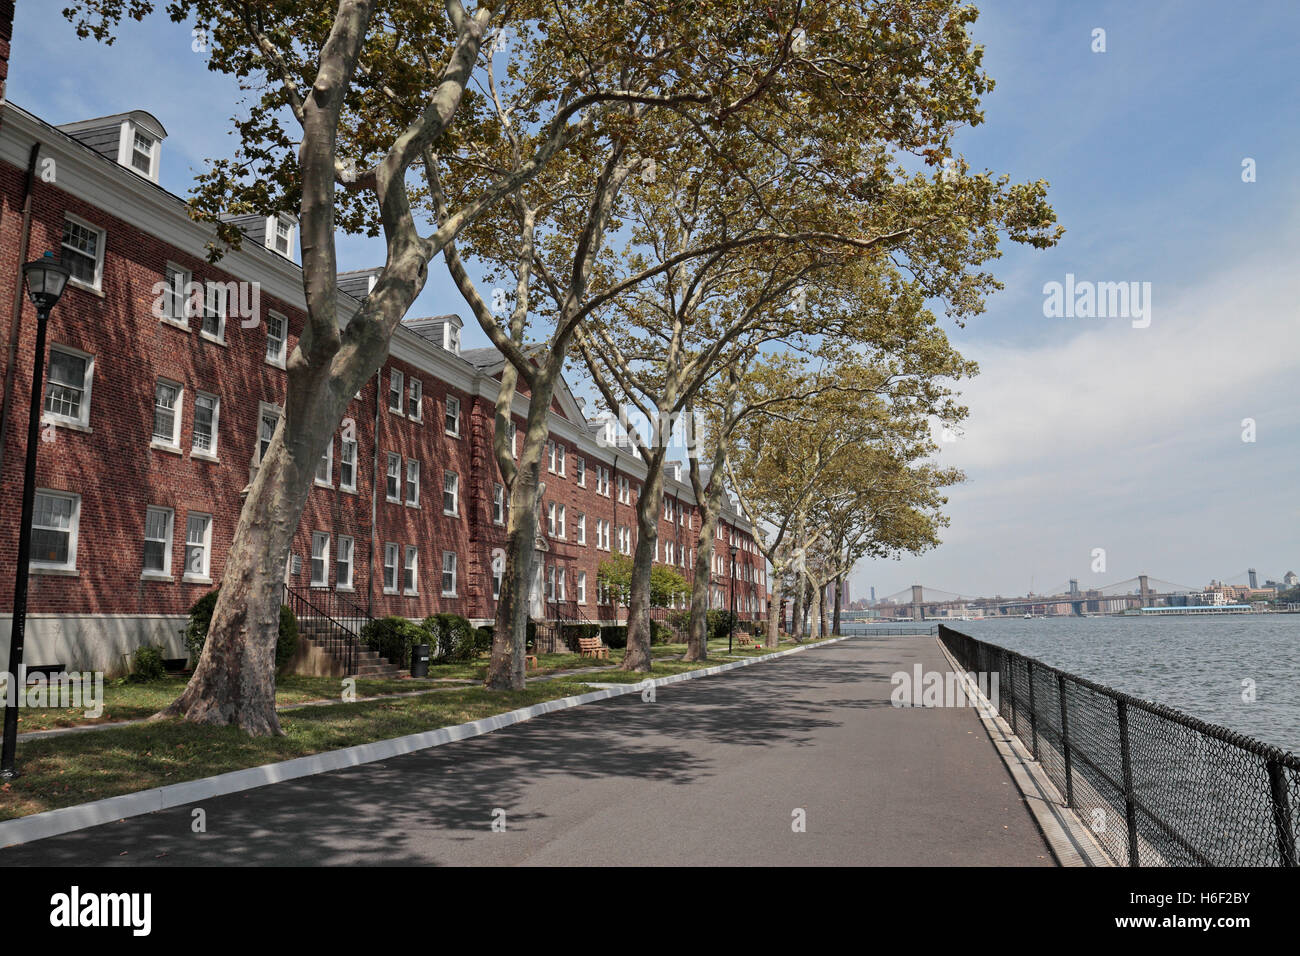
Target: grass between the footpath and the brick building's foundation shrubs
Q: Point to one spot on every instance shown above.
(128, 702)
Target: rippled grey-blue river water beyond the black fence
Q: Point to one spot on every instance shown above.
(1195, 665)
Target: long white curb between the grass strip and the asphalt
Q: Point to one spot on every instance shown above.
(83, 816)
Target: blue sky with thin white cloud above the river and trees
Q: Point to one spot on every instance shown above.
(1115, 432)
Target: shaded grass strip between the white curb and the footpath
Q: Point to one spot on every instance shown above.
(79, 768)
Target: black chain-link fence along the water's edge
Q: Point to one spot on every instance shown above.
(1158, 788)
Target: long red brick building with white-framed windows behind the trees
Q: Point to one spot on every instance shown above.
(155, 417)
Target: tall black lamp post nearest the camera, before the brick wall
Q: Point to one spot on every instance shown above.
(46, 280)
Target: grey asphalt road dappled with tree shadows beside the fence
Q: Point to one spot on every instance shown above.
(713, 772)
